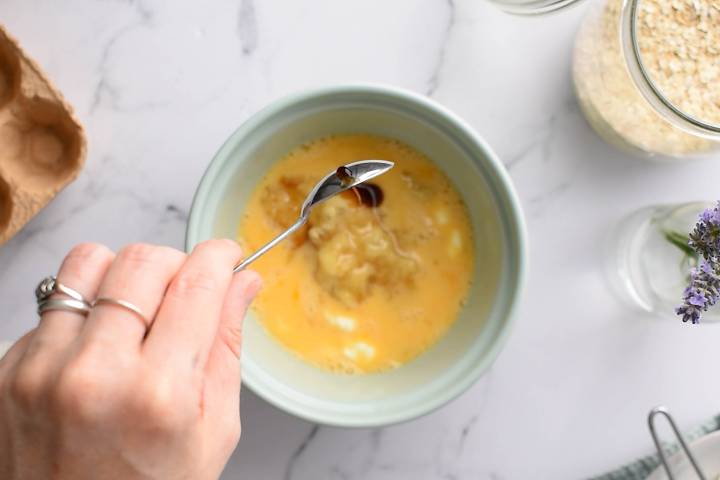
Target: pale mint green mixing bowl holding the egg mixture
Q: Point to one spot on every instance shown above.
(472, 343)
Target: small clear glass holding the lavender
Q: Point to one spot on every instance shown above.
(645, 264)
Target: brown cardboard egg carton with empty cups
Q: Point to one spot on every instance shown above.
(42, 145)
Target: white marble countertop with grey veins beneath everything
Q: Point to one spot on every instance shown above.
(160, 85)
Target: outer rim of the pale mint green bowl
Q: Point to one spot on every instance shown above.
(513, 223)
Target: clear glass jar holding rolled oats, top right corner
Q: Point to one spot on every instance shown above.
(617, 94)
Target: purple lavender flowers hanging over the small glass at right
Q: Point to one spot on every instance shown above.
(703, 290)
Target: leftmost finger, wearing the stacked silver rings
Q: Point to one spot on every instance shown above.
(83, 270)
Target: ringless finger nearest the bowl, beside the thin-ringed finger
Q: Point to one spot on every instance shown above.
(188, 320)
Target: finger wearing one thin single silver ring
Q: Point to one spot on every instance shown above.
(139, 275)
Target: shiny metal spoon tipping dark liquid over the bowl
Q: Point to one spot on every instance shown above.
(344, 178)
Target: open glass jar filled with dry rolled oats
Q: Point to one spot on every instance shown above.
(616, 90)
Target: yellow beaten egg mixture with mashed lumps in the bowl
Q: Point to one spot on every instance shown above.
(360, 288)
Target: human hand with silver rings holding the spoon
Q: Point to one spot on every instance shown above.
(109, 396)
